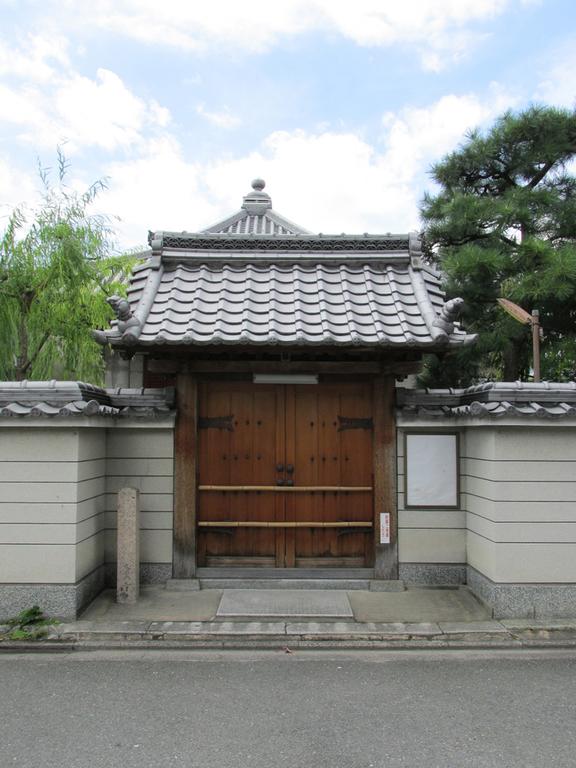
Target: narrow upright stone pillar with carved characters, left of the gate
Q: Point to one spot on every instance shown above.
(128, 546)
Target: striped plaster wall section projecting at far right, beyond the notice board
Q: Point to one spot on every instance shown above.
(520, 498)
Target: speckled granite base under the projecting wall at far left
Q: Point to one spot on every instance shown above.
(61, 601)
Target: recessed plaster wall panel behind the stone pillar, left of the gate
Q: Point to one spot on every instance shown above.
(142, 458)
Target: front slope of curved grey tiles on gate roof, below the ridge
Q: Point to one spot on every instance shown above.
(309, 304)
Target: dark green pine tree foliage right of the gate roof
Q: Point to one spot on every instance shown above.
(504, 224)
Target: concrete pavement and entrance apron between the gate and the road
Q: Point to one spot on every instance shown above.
(291, 619)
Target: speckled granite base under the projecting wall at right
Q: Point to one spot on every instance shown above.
(524, 601)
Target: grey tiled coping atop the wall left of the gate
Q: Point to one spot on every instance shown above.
(66, 399)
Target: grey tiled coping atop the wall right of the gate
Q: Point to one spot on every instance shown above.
(493, 400)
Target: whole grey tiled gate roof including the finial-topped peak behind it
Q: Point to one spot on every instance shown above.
(257, 279)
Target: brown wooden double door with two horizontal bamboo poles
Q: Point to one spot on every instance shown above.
(285, 475)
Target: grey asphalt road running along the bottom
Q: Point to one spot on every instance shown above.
(270, 709)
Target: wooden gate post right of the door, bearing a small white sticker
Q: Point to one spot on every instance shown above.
(385, 497)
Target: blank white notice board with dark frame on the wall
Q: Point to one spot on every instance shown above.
(431, 466)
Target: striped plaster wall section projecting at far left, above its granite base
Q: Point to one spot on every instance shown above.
(51, 503)
